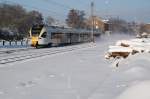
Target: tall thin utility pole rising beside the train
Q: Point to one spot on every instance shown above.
(92, 16)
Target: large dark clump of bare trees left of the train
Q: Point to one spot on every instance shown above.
(15, 21)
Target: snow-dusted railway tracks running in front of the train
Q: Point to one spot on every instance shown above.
(30, 54)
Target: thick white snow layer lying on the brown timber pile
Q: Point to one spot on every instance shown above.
(140, 45)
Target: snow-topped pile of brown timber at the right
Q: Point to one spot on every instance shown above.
(123, 48)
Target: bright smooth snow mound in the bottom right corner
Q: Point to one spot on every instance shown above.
(138, 91)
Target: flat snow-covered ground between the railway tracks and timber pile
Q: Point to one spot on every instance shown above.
(83, 73)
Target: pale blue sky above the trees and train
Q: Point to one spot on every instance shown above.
(130, 10)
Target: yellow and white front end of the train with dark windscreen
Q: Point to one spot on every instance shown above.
(37, 34)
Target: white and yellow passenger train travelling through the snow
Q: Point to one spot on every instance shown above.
(42, 35)
